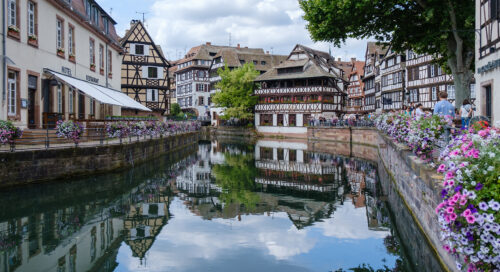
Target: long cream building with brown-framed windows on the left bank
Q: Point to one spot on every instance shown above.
(48, 44)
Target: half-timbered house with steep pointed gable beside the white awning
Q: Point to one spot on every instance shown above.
(145, 74)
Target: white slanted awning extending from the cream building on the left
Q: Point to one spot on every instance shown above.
(100, 93)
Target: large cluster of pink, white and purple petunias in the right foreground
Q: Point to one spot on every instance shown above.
(468, 214)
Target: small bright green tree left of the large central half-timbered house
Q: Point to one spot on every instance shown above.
(236, 92)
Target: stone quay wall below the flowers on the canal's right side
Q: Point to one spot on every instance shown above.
(414, 181)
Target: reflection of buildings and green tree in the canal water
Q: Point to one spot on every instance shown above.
(222, 180)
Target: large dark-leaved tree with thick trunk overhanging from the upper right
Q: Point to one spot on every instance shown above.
(442, 28)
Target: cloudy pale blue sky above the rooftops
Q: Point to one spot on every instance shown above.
(177, 25)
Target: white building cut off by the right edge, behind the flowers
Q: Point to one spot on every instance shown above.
(488, 58)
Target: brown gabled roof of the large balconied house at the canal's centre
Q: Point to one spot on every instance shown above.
(314, 64)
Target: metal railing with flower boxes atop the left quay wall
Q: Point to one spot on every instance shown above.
(93, 135)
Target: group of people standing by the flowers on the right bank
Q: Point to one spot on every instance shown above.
(443, 108)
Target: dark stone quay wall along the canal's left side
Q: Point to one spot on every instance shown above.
(24, 167)
